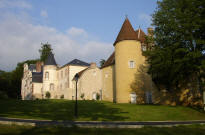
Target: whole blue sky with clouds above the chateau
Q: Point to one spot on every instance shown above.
(82, 29)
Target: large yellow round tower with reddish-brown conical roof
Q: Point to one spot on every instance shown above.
(128, 57)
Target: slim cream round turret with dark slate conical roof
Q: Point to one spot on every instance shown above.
(49, 76)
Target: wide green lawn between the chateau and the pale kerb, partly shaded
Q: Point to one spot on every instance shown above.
(95, 111)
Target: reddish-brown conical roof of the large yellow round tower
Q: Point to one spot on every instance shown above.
(127, 32)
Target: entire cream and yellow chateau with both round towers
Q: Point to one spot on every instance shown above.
(111, 82)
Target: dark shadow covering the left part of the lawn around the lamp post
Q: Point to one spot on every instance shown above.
(59, 110)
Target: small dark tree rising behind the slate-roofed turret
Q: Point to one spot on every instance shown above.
(44, 51)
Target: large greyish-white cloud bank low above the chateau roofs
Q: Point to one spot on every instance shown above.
(20, 40)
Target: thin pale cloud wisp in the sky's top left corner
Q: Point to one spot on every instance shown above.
(14, 4)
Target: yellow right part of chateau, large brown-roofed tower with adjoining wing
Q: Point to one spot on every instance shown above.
(118, 72)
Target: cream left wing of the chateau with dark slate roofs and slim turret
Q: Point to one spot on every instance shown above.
(49, 77)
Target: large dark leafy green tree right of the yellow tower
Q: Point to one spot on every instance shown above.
(179, 53)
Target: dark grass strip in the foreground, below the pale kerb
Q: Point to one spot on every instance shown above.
(57, 130)
